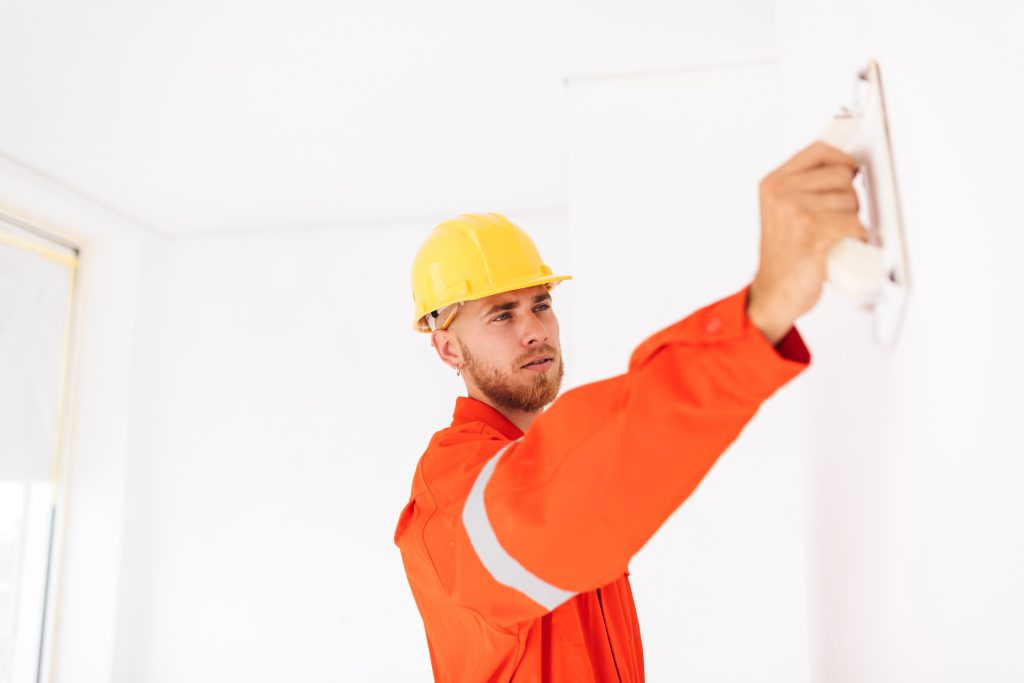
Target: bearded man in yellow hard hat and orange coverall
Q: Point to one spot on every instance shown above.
(522, 522)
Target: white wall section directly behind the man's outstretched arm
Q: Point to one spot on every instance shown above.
(664, 217)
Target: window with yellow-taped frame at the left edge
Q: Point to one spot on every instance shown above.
(37, 280)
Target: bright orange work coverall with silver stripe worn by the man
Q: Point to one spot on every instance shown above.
(517, 545)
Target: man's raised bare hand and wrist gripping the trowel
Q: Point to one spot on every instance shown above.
(807, 205)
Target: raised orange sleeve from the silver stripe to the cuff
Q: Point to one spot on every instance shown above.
(608, 463)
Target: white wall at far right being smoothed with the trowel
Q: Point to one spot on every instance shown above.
(916, 474)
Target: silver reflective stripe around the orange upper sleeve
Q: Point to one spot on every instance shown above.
(505, 569)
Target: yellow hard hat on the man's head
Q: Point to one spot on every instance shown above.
(472, 258)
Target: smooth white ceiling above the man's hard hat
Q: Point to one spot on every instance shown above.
(223, 115)
